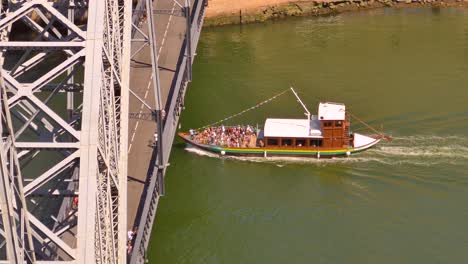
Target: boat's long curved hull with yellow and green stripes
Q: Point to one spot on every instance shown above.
(278, 152)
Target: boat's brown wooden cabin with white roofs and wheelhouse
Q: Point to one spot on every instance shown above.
(330, 129)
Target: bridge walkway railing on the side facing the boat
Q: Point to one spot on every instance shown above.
(155, 184)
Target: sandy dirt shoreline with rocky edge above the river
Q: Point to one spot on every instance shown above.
(228, 12)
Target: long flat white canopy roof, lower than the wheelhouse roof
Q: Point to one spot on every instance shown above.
(292, 128)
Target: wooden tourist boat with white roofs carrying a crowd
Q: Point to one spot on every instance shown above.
(324, 135)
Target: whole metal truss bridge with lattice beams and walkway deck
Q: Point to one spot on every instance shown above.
(90, 97)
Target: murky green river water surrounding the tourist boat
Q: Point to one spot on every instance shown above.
(402, 202)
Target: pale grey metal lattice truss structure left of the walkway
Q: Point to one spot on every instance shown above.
(63, 171)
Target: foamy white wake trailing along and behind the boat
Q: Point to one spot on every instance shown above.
(413, 150)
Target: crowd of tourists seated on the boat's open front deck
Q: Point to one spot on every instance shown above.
(235, 136)
